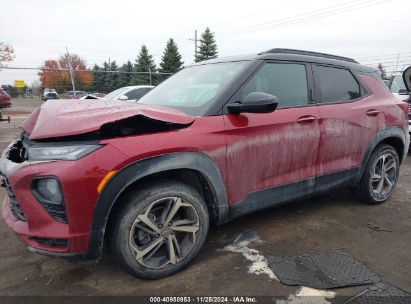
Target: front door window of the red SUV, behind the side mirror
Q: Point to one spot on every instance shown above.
(286, 81)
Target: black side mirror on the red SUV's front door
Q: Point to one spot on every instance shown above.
(255, 102)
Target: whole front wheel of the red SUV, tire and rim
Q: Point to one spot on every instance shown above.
(143, 222)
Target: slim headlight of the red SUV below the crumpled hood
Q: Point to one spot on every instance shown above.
(71, 152)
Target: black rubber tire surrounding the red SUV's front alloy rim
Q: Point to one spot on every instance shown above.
(134, 205)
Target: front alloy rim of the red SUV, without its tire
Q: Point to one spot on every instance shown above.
(164, 233)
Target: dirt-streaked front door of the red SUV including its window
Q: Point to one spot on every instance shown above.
(274, 150)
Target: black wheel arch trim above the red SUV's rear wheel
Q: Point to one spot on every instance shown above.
(389, 132)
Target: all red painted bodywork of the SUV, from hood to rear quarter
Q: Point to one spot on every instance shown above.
(252, 151)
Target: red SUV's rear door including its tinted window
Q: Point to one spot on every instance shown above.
(349, 119)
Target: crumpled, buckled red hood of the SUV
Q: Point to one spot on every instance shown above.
(59, 118)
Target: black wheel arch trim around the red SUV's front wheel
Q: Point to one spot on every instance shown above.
(136, 171)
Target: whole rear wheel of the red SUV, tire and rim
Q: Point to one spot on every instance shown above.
(374, 187)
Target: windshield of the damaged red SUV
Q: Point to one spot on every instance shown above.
(193, 89)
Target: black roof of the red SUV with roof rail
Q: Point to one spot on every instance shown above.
(282, 54)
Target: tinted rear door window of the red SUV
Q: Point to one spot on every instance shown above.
(337, 85)
